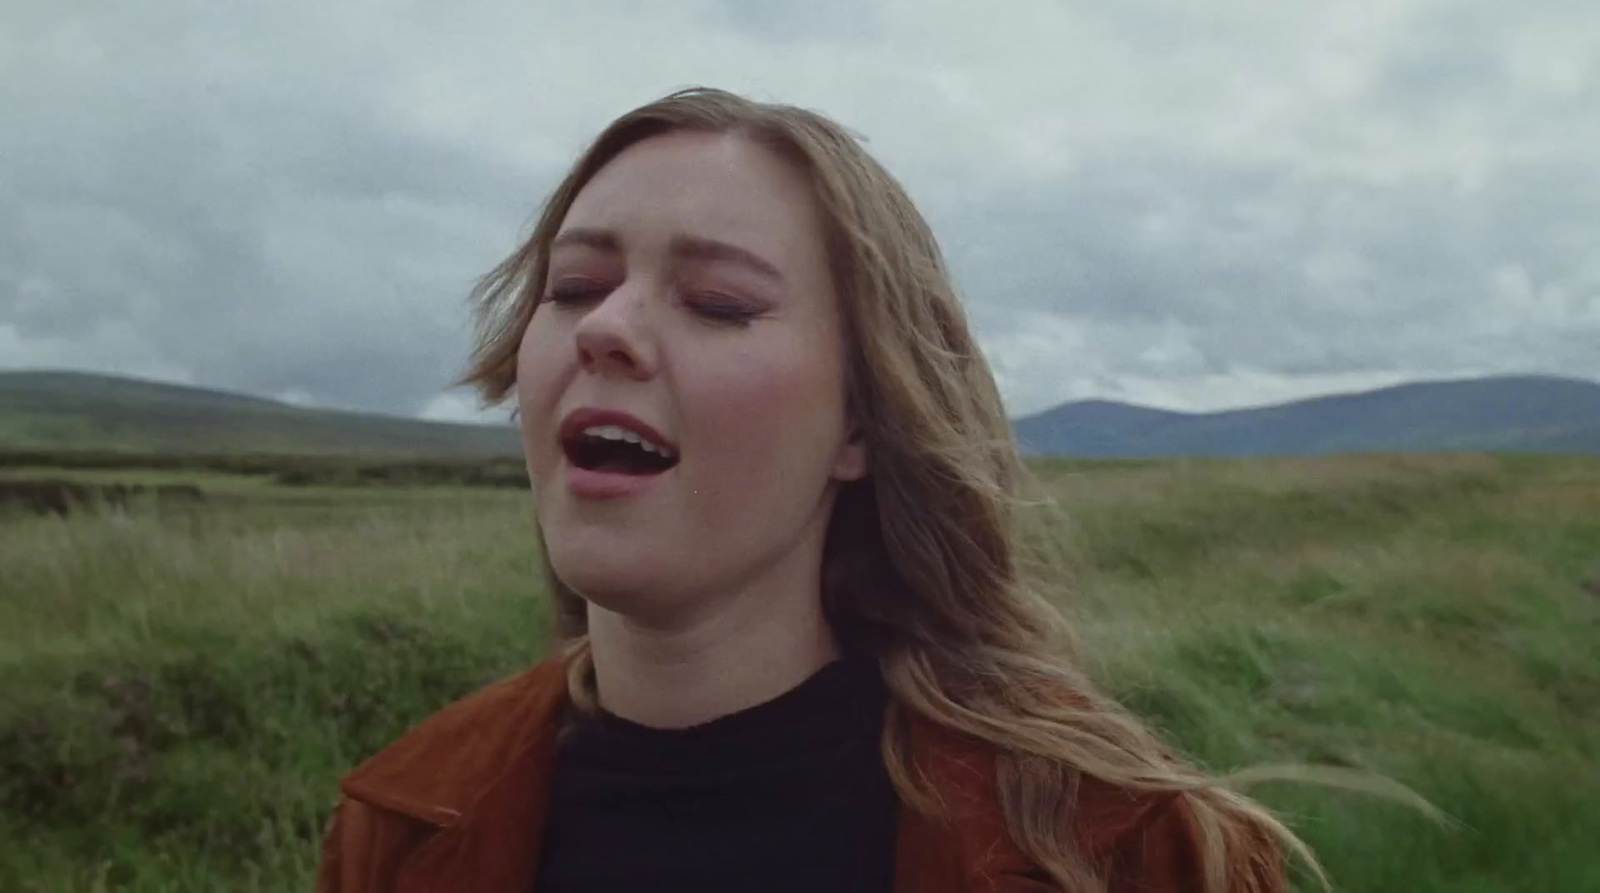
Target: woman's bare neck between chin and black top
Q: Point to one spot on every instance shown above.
(740, 652)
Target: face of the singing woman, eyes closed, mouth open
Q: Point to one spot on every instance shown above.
(690, 308)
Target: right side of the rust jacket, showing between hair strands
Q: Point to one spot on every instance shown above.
(1134, 839)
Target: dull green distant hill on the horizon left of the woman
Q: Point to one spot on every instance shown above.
(65, 410)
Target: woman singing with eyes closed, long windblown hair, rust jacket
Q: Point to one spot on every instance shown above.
(775, 489)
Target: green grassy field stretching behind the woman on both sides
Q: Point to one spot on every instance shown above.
(185, 684)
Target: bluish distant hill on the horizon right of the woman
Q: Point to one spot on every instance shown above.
(1514, 414)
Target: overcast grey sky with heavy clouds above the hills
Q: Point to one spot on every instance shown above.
(1188, 206)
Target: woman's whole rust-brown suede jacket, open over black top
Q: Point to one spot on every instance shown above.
(460, 804)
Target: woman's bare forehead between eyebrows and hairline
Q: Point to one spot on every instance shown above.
(702, 185)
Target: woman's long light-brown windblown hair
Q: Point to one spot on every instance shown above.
(924, 566)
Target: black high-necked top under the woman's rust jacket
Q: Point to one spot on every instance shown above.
(786, 796)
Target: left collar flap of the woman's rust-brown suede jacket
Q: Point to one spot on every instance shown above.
(438, 769)
